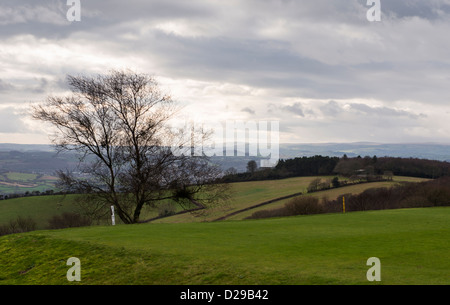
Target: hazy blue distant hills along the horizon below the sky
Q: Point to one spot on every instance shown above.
(34, 158)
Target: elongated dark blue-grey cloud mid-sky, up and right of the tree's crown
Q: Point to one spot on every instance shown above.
(264, 63)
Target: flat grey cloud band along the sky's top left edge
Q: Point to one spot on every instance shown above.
(47, 18)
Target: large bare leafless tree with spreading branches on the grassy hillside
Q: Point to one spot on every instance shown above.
(119, 122)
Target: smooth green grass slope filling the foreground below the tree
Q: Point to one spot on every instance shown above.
(413, 246)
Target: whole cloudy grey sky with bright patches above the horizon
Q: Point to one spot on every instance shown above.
(320, 67)
